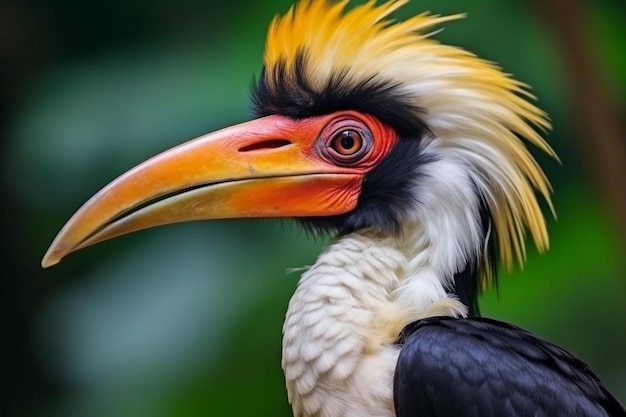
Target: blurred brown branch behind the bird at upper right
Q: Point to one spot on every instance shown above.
(602, 135)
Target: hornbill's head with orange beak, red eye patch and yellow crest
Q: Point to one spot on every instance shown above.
(363, 123)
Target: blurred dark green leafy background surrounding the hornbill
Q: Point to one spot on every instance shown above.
(186, 320)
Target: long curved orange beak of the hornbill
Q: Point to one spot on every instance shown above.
(268, 167)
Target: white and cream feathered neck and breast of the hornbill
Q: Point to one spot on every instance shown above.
(339, 354)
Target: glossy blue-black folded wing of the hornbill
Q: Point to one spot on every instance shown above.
(479, 367)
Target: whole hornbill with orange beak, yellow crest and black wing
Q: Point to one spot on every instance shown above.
(413, 153)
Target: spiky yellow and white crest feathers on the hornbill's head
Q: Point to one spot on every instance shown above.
(475, 109)
